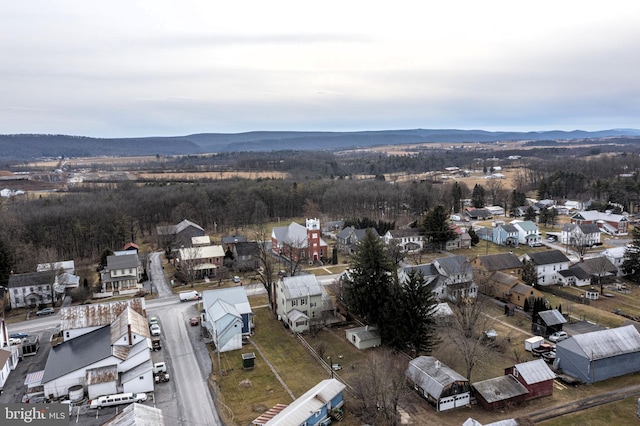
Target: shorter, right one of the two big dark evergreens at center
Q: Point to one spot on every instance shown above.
(412, 312)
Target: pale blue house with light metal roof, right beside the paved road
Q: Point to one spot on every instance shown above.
(227, 317)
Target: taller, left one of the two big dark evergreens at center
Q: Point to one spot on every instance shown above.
(368, 287)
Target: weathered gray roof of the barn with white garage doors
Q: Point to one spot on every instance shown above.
(432, 375)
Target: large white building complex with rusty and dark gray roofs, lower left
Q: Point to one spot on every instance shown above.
(99, 352)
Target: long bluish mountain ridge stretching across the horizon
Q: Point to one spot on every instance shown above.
(31, 146)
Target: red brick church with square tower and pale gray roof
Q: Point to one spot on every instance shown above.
(297, 242)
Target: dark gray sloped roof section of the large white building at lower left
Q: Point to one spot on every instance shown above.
(77, 353)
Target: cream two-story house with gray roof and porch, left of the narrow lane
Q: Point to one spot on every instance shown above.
(122, 274)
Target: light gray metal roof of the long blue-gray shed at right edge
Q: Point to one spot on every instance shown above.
(604, 344)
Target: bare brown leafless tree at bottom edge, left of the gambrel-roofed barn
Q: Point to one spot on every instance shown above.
(381, 388)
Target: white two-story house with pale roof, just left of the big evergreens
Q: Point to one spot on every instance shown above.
(301, 301)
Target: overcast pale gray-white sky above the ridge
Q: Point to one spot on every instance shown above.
(146, 68)
